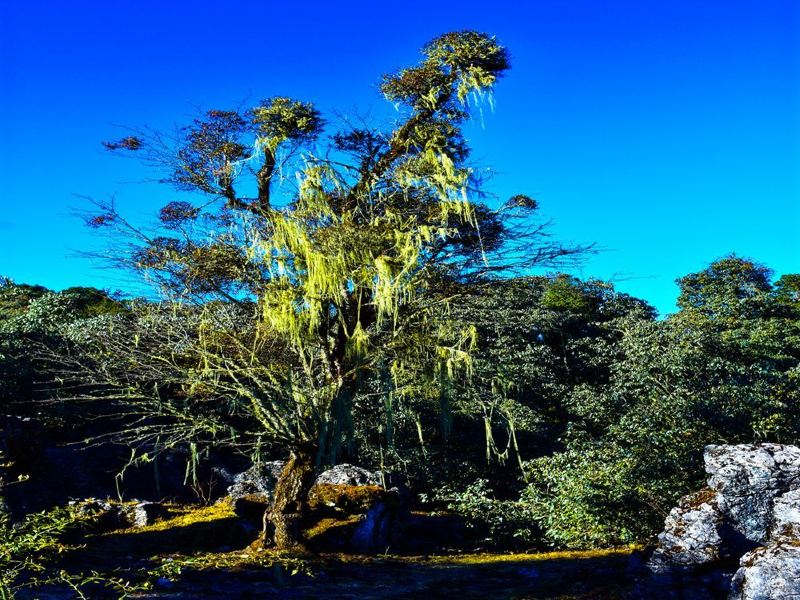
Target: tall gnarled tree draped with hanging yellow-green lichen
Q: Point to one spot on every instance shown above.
(337, 272)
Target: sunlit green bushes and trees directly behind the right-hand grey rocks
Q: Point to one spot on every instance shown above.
(723, 369)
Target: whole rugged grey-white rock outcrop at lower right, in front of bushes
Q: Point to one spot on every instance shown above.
(750, 511)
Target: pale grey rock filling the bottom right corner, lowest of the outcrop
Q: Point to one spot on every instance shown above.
(768, 573)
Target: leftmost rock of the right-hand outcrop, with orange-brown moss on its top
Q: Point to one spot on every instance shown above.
(692, 534)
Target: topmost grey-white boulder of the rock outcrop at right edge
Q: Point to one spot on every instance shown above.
(747, 478)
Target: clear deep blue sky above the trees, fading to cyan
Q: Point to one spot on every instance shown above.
(666, 132)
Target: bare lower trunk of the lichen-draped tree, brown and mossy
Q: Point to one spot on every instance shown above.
(283, 523)
